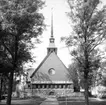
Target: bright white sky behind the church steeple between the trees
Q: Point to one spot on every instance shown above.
(61, 28)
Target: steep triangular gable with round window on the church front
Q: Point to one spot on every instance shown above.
(51, 69)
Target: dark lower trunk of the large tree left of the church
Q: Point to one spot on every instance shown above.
(10, 86)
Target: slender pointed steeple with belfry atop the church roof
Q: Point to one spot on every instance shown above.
(52, 47)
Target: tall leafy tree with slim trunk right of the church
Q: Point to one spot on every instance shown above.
(89, 29)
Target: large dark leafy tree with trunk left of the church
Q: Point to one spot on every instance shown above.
(21, 21)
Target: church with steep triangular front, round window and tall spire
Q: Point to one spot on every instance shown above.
(51, 75)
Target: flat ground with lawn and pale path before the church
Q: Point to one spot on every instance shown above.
(53, 101)
